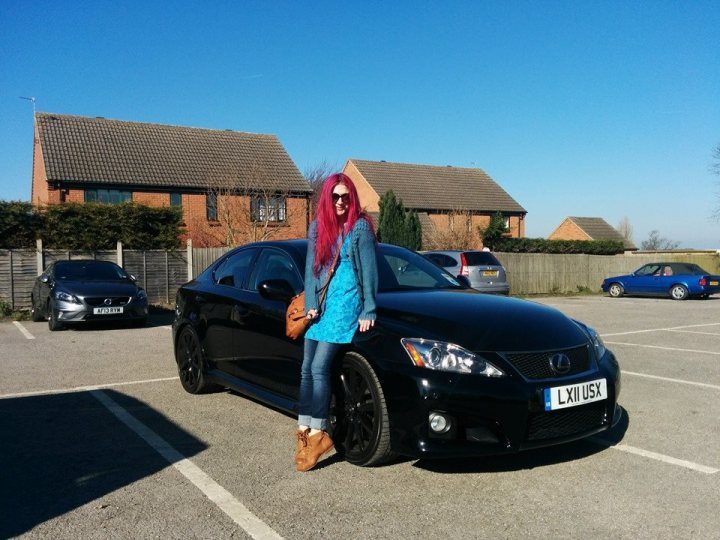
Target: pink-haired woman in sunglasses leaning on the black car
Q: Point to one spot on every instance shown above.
(349, 305)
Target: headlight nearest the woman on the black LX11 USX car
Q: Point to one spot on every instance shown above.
(443, 356)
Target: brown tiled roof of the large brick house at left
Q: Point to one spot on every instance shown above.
(81, 149)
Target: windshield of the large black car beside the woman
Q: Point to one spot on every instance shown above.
(401, 269)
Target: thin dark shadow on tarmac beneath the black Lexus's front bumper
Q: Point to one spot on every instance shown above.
(531, 459)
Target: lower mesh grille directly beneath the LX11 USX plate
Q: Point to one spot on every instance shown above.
(565, 422)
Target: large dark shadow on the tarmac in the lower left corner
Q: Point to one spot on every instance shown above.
(60, 452)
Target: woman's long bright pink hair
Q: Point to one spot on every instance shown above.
(328, 226)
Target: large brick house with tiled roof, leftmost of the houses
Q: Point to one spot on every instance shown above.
(232, 186)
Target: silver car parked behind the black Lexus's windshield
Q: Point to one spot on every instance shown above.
(482, 269)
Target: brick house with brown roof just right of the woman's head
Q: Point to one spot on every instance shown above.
(442, 196)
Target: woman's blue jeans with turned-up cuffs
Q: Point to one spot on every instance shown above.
(315, 387)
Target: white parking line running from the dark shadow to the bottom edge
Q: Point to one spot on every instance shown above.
(237, 511)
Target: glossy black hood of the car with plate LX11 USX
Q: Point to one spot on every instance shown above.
(477, 321)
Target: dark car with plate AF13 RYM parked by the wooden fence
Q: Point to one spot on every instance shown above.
(78, 291)
